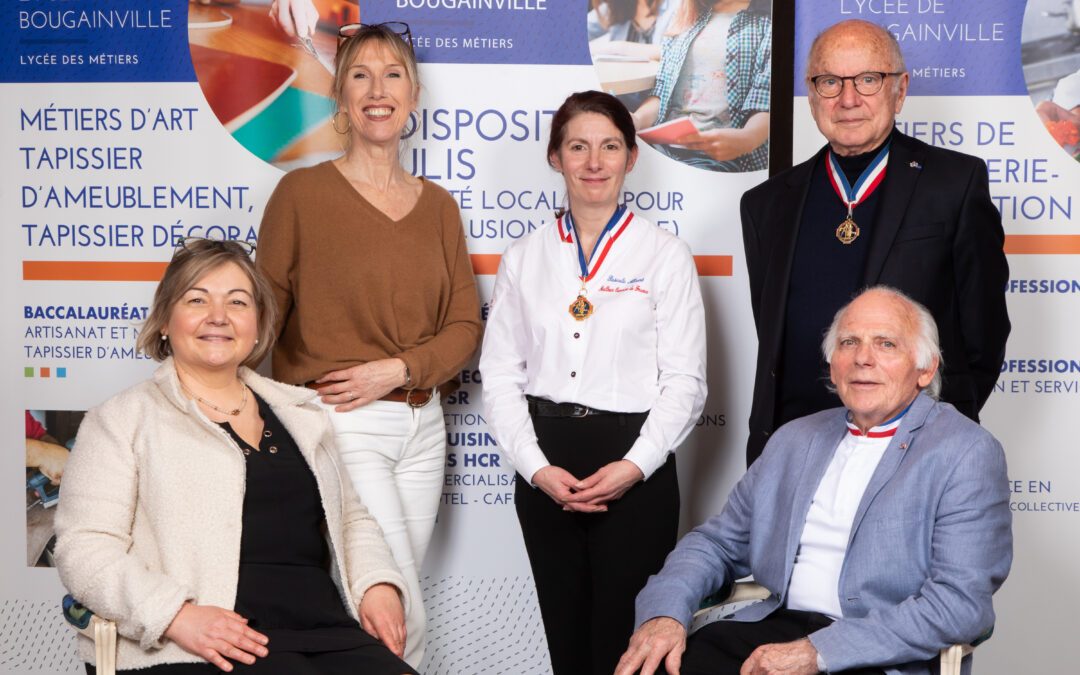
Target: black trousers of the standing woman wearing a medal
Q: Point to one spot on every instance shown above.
(589, 568)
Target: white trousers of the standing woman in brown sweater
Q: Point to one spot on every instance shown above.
(396, 456)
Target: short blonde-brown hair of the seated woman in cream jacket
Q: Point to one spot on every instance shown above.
(192, 263)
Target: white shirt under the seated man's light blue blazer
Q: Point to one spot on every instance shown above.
(816, 578)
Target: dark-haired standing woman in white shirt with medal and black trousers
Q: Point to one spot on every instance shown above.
(595, 371)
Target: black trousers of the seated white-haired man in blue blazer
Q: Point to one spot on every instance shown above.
(720, 649)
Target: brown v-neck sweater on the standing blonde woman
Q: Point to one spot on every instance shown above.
(355, 287)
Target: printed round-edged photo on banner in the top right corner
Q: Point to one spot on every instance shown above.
(1051, 56)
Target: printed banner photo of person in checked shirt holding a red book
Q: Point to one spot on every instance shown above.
(696, 75)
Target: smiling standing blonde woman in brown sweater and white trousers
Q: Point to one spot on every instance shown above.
(377, 302)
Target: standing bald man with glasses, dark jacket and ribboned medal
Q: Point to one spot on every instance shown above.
(874, 207)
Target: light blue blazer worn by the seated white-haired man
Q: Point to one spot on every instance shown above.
(930, 544)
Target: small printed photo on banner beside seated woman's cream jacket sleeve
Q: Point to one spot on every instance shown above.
(50, 436)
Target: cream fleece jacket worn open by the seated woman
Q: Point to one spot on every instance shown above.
(152, 504)
